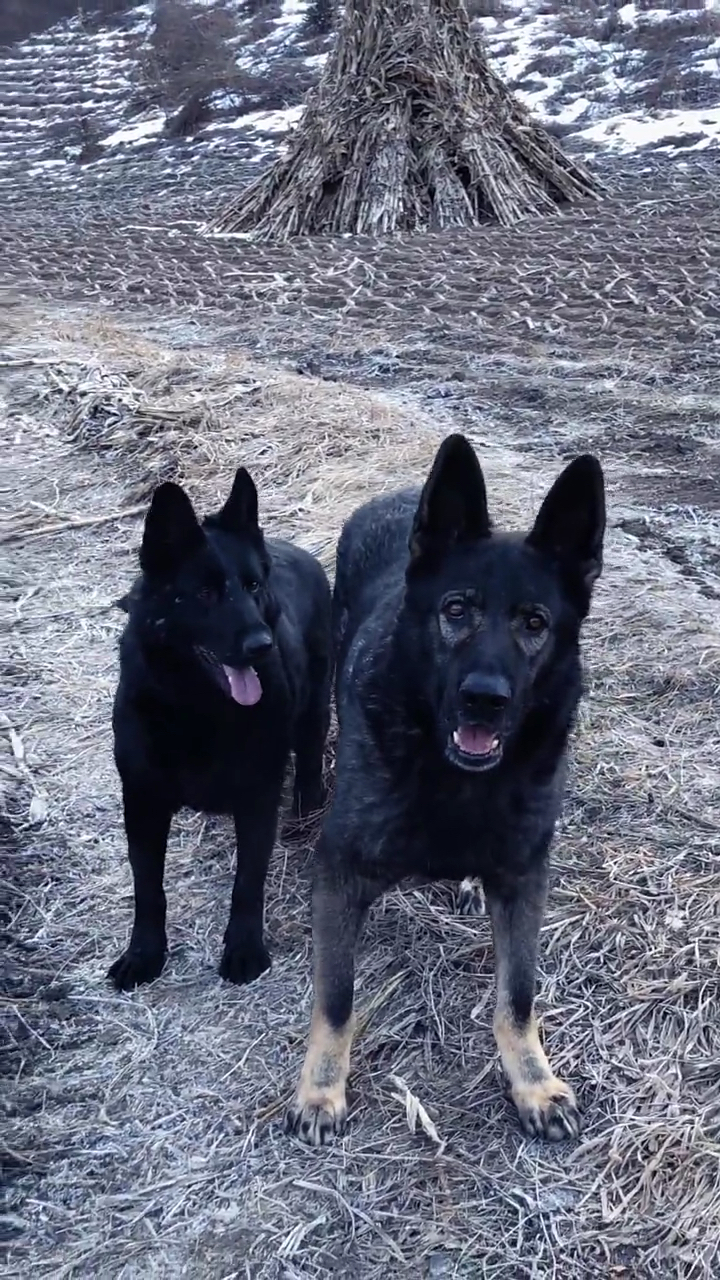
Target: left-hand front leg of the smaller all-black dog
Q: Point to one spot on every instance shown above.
(148, 824)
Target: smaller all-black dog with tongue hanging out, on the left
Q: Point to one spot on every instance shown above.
(226, 668)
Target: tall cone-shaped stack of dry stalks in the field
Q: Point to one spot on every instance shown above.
(409, 129)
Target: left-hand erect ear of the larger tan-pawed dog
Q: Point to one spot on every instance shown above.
(454, 506)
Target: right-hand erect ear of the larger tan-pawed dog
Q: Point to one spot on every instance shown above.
(571, 524)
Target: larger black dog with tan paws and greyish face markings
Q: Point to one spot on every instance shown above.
(459, 676)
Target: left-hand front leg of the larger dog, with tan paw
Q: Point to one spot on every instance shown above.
(321, 1108)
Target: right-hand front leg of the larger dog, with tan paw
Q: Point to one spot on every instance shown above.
(546, 1105)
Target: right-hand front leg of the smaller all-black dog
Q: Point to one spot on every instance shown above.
(245, 956)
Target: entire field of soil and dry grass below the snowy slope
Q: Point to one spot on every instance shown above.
(143, 1135)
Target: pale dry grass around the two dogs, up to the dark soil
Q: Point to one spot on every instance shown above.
(145, 1131)
